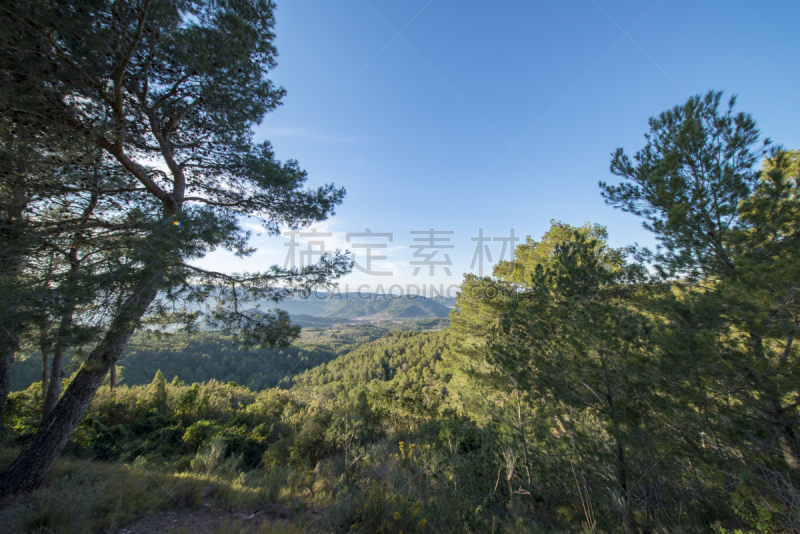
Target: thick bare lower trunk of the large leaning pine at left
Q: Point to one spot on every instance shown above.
(29, 469)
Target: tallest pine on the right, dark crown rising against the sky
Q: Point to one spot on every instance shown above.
(724, 223)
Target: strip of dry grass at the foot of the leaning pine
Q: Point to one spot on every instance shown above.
(82, 496)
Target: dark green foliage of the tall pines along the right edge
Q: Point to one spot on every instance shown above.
(728, 234)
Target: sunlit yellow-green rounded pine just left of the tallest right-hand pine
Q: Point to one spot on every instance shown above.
(558, 356)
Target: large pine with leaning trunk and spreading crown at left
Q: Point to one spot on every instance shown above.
(181, 83)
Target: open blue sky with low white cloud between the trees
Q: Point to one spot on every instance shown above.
(466, 115)
